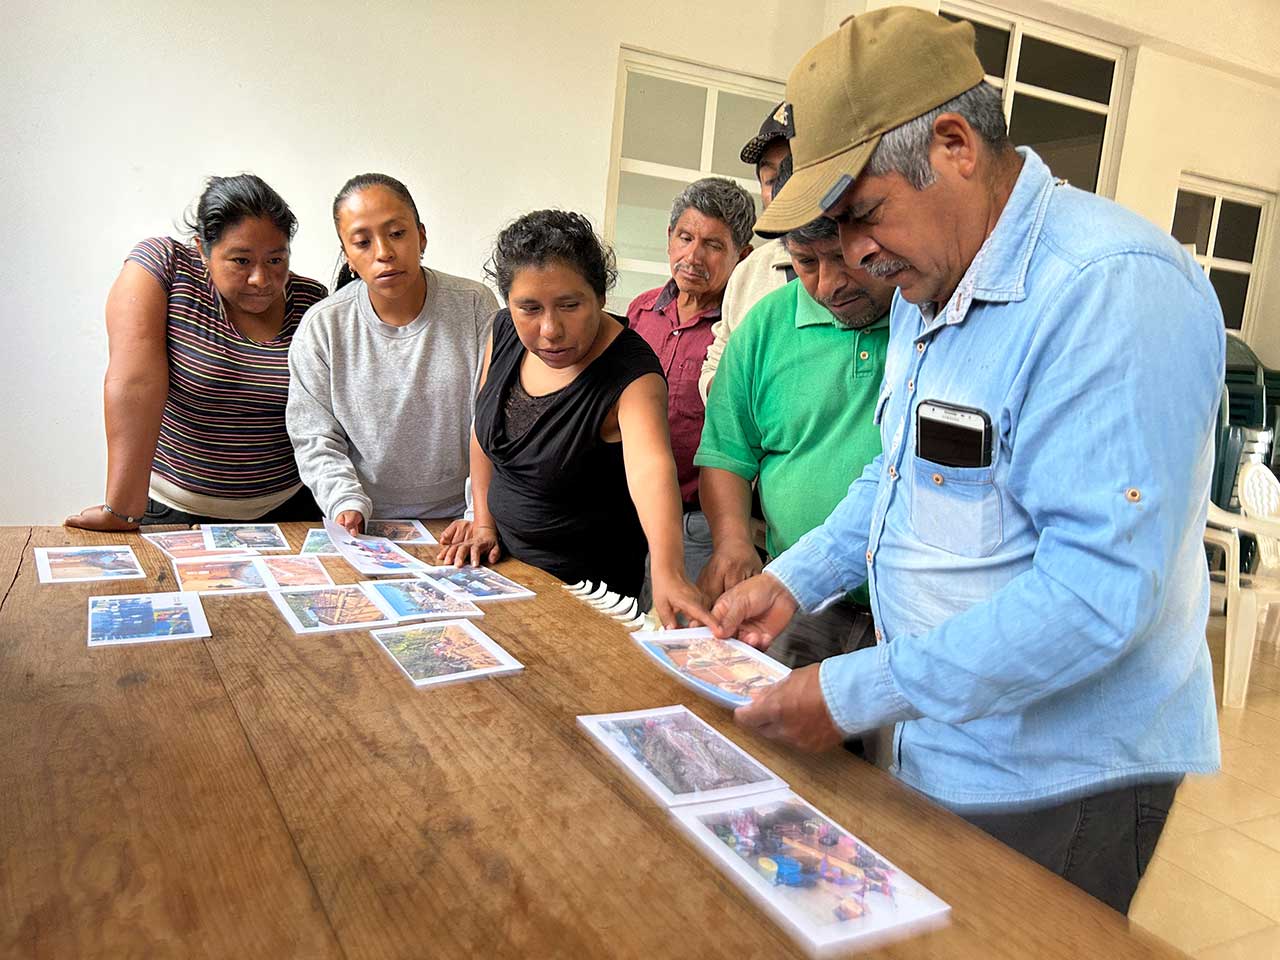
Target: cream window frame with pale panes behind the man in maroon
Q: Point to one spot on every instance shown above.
(711, 79)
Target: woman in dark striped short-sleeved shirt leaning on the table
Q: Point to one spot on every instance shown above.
(199, 374)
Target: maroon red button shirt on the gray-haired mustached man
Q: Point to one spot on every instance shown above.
(682, 349)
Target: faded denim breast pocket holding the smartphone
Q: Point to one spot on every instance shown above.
(957, 510)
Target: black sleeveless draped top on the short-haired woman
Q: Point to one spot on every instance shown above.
(559, 492)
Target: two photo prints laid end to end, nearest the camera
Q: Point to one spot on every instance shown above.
(831, 892)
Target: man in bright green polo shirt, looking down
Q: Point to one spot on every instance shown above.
(793, 408)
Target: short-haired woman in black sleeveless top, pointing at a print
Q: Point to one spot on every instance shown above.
(572, 467)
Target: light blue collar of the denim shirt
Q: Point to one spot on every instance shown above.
(999, 271)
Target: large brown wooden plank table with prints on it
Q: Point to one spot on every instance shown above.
(268, 796)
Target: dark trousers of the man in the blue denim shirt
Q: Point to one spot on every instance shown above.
(1101, 844)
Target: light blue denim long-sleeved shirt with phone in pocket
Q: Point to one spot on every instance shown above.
(1041, 620)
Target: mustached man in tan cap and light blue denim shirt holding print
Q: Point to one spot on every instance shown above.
(1040, 579)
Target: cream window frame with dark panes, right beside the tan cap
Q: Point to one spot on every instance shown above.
(1018, 28)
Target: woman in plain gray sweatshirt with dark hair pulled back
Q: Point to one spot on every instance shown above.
(385, 373)
